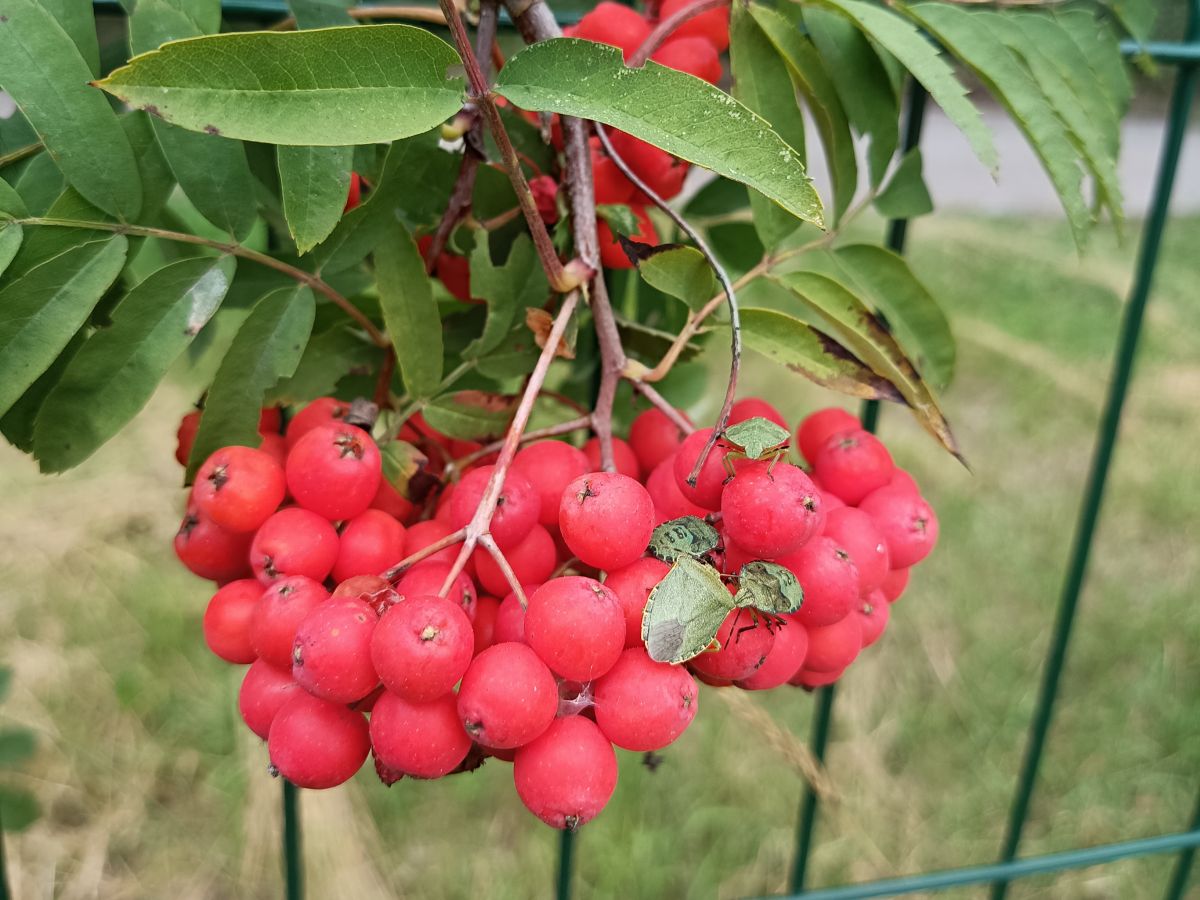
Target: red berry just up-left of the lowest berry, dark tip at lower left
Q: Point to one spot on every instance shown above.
(508, 697)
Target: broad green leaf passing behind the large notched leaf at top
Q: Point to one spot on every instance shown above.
(761, 81)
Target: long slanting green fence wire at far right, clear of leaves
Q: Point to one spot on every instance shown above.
(1102, 458)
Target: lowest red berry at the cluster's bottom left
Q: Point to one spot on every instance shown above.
(317, 745)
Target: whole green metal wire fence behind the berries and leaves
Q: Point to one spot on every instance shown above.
(1185, 58)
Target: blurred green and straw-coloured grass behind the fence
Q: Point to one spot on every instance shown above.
(153, 789)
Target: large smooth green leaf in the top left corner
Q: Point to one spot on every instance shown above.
(45, 74)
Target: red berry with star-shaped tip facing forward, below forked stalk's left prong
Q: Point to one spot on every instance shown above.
(422, 647)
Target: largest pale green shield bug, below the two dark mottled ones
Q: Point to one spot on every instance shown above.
(685, 613)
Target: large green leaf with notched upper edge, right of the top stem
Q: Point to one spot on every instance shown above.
(674, 111)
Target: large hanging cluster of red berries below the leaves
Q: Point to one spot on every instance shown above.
(433, 675)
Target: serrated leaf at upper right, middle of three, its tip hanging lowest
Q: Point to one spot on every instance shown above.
(973, 40)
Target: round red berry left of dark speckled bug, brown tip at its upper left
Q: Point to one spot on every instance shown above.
(607, 519)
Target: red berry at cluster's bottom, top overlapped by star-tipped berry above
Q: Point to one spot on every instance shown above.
(419, 740)
